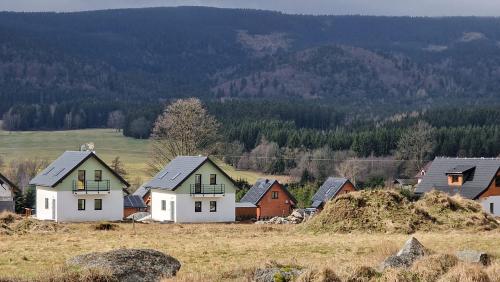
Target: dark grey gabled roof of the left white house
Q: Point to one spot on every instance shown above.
(59, 169)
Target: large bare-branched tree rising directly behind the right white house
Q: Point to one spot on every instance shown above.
(184, 128)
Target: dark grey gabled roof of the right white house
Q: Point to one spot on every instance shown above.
(177, 171)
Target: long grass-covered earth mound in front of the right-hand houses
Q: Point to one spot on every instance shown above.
(390, 212)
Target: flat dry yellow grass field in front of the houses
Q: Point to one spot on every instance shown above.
(214, 252)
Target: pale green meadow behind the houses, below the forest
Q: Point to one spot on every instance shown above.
(108, 144)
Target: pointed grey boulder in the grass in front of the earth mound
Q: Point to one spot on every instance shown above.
(411, 251)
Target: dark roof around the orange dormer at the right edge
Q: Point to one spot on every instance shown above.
(475, 184)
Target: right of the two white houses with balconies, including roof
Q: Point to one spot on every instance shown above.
(192, 189)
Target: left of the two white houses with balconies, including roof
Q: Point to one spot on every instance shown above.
(79, 186)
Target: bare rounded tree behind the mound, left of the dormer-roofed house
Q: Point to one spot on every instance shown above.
(416, 145)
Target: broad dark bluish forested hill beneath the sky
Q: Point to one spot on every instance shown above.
(111, 59)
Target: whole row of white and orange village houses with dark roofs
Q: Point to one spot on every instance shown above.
(79, 186)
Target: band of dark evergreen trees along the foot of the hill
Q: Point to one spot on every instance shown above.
(464, 132)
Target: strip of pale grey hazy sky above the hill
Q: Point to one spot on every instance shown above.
(365, 7)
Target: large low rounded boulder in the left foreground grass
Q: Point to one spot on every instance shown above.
(130, 265)
